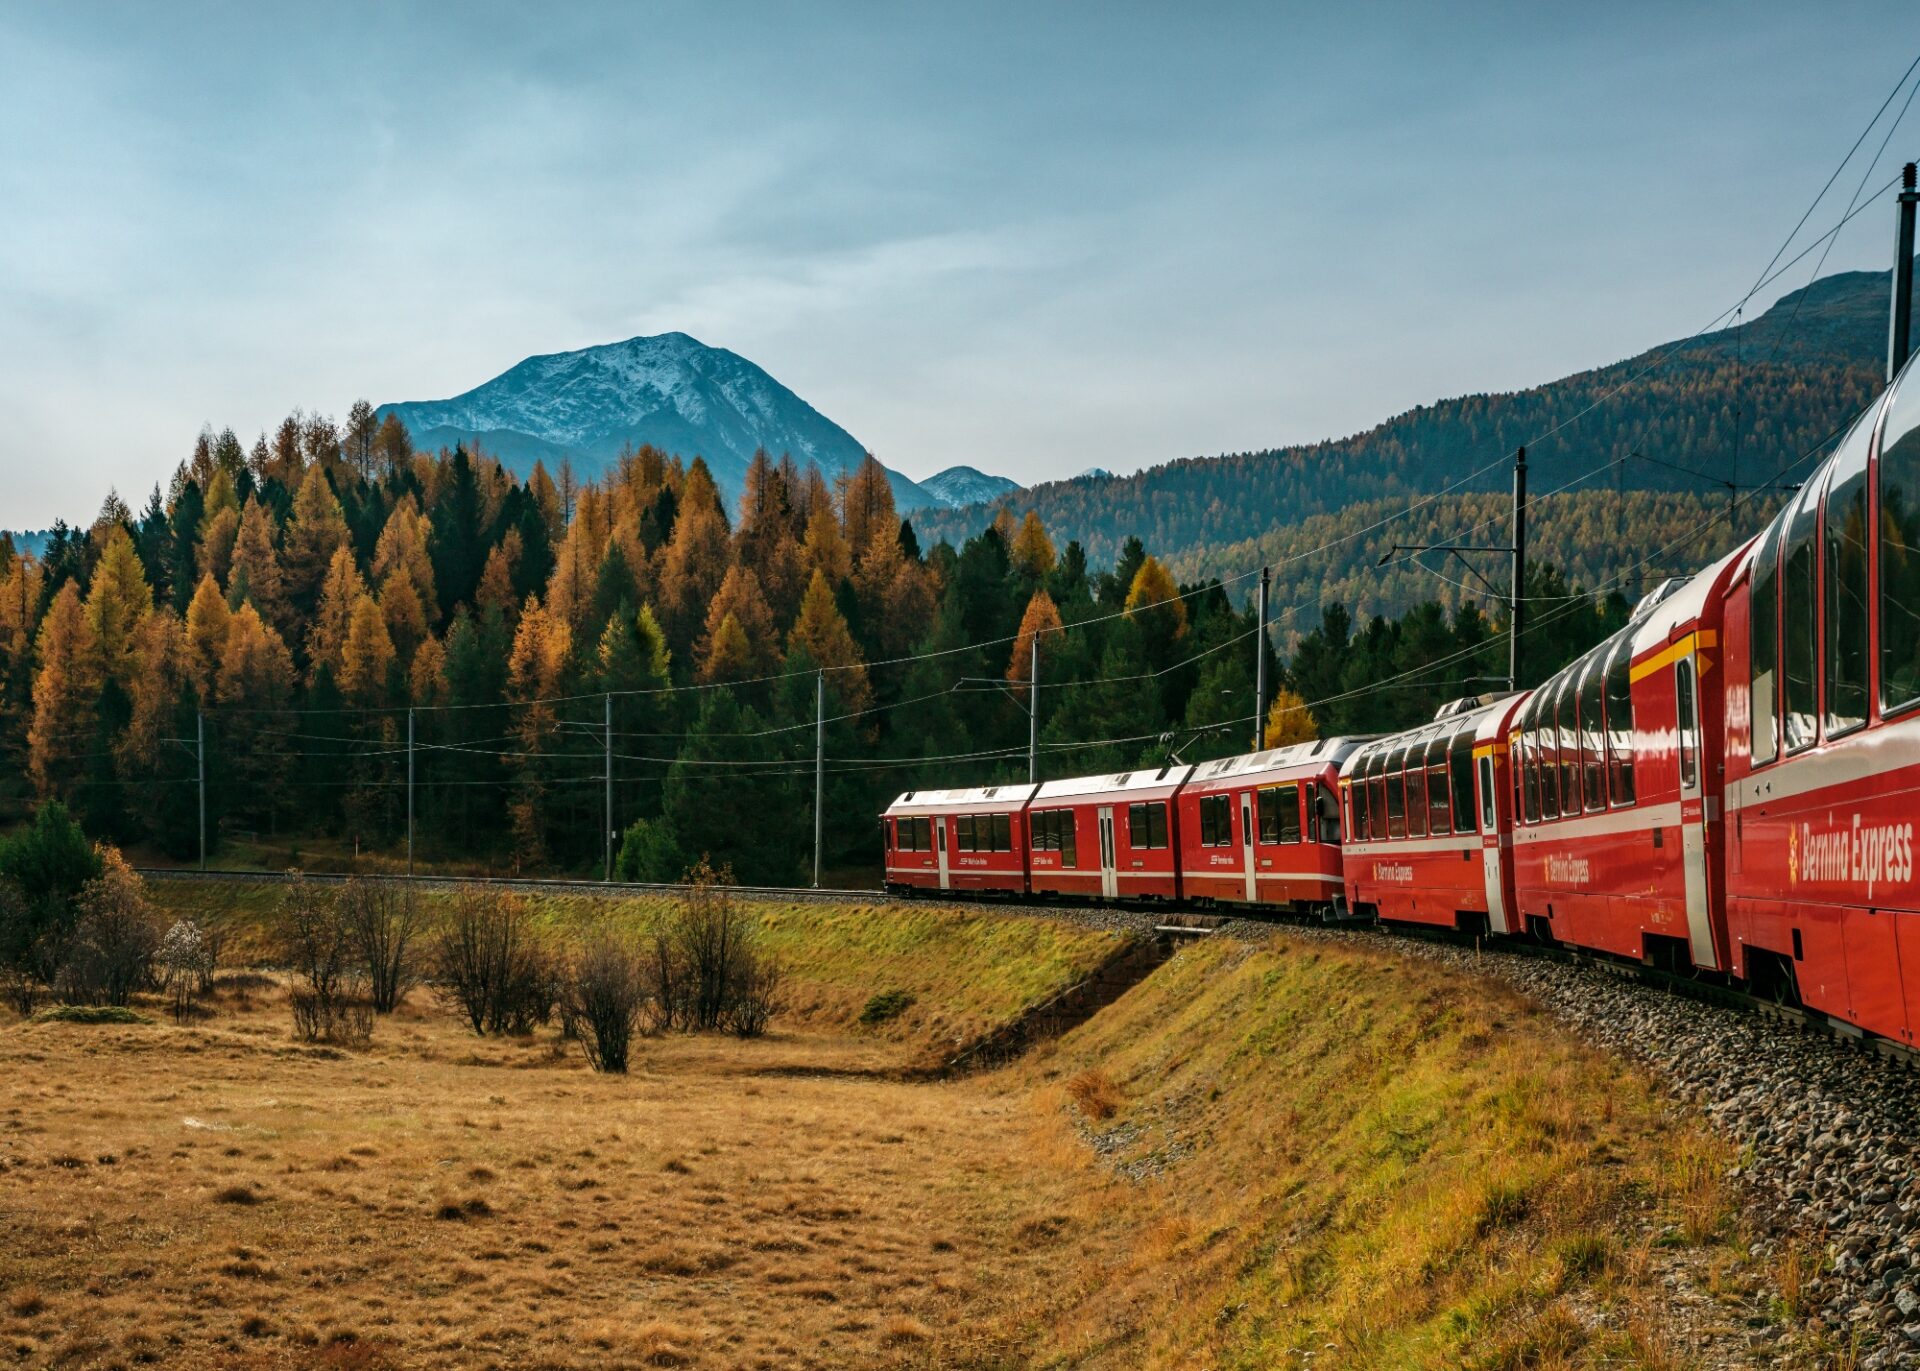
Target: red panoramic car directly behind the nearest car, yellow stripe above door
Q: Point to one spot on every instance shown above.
(1621, 761)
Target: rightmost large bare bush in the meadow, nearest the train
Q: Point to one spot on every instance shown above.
(708, 967)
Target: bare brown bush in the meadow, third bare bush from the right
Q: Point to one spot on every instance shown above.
(492, 963)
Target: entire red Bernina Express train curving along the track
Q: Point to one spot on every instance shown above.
(1729, 786)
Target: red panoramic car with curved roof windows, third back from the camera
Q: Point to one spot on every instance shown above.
(1428, 821)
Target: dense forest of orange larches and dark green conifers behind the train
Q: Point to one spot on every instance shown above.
(320, 617)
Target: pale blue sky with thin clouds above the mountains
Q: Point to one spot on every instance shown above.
(1030, 239)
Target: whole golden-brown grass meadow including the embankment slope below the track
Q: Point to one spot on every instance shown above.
(1255, 1157)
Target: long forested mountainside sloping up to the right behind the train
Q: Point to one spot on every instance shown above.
(1681, 421)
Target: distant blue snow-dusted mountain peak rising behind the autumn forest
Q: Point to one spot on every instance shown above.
(669, 391)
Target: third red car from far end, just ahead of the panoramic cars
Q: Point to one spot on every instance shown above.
(1264, 829)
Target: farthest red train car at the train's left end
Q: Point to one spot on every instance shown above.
(969, 840)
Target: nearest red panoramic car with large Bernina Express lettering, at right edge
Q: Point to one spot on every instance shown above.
(1823, 763)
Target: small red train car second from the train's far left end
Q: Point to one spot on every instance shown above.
(1113, 838)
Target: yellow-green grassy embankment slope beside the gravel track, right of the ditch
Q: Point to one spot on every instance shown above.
(1320, 1149)
